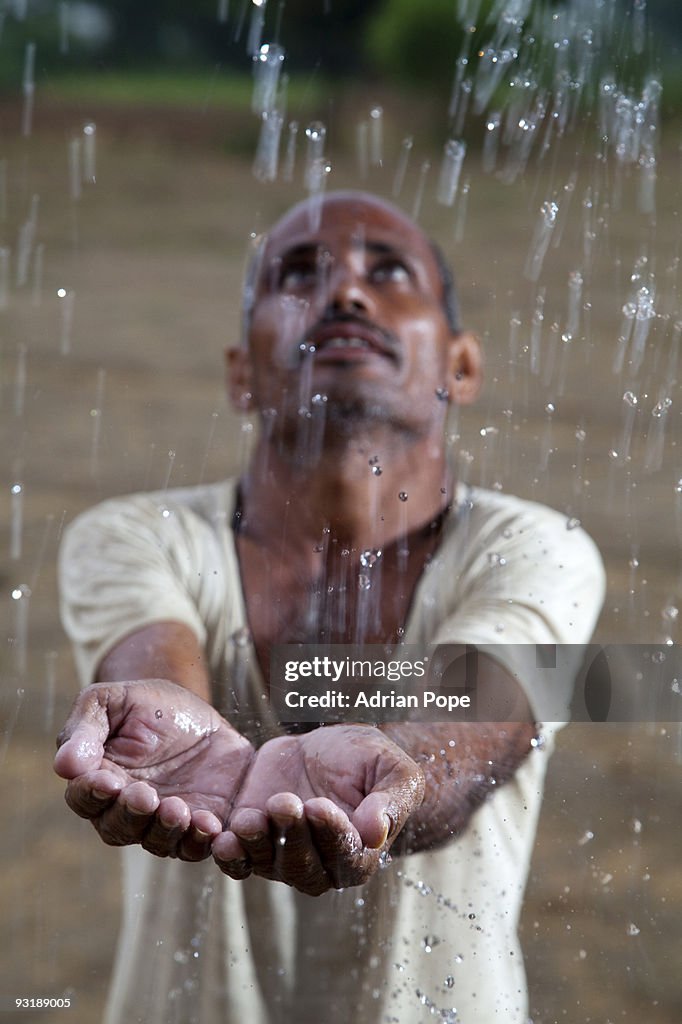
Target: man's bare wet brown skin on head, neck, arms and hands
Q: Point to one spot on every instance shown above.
(354, 305)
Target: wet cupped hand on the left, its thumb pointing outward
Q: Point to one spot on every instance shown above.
(151, 763)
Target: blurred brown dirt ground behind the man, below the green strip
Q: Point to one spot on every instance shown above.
(117, 387)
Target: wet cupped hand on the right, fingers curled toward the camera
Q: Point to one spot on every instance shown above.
(319, 812)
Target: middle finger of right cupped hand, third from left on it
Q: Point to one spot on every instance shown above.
(296, 860)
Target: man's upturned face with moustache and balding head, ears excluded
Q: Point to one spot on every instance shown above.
(351, 311)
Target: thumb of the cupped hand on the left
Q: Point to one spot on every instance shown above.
(82, 741)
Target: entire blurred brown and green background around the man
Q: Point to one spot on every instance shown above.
(142, 146)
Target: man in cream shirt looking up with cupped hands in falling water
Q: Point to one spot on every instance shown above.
(347, 528)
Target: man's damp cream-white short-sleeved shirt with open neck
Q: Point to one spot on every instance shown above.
(433, 933)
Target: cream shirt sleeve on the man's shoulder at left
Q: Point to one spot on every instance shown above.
(126, 565)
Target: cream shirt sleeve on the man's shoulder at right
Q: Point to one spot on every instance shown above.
(531, 601)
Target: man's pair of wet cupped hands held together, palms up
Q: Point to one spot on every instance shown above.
(152, 763)
